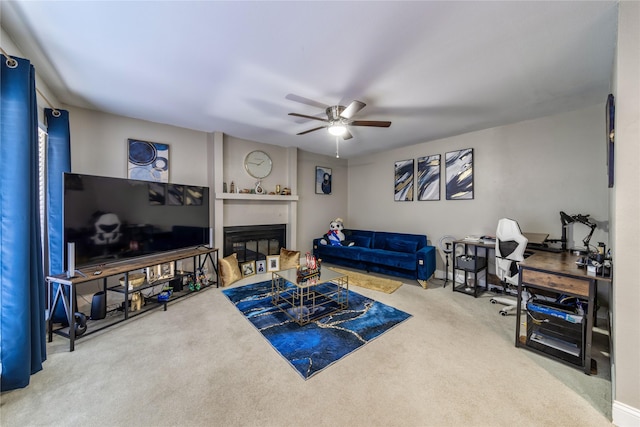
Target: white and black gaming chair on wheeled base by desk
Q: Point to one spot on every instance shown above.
(510, 247)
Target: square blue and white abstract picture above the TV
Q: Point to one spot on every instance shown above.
(148, 161)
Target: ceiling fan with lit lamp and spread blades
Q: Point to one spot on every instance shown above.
(339, 119)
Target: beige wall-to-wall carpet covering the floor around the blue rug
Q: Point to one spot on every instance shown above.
(201, 363)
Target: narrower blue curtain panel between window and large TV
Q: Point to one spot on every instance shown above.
(58, 162)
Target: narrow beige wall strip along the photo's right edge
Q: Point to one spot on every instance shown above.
(626, 219)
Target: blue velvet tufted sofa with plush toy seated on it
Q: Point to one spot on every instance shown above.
(395, 254)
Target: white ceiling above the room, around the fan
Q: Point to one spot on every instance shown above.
(433, 68)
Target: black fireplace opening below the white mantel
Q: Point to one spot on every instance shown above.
(254, 242)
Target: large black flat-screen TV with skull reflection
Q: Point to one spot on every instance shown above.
(110, 219)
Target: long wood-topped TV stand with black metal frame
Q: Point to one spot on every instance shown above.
(65, 291)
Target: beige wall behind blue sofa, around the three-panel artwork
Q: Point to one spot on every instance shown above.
(528, 171)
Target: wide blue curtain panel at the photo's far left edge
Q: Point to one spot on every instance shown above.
(22, 289)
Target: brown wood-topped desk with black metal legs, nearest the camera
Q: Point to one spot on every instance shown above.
(558, 272)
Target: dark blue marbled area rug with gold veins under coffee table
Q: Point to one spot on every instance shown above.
(316, 345)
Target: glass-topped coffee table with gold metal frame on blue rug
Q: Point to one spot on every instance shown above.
(308, 300)
